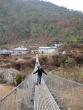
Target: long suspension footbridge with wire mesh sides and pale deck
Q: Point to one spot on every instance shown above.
(52, 94)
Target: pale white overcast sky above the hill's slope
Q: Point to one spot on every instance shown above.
(72, 4)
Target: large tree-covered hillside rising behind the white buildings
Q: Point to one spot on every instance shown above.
(38, 21)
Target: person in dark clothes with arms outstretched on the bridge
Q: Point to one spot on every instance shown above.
(39, 72)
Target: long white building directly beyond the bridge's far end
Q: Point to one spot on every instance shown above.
(47, 50)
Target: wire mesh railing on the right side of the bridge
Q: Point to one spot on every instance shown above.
(68, 94)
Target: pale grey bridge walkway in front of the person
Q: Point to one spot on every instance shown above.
(43, 100)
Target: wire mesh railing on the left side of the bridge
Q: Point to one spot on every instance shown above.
(21, 98)
